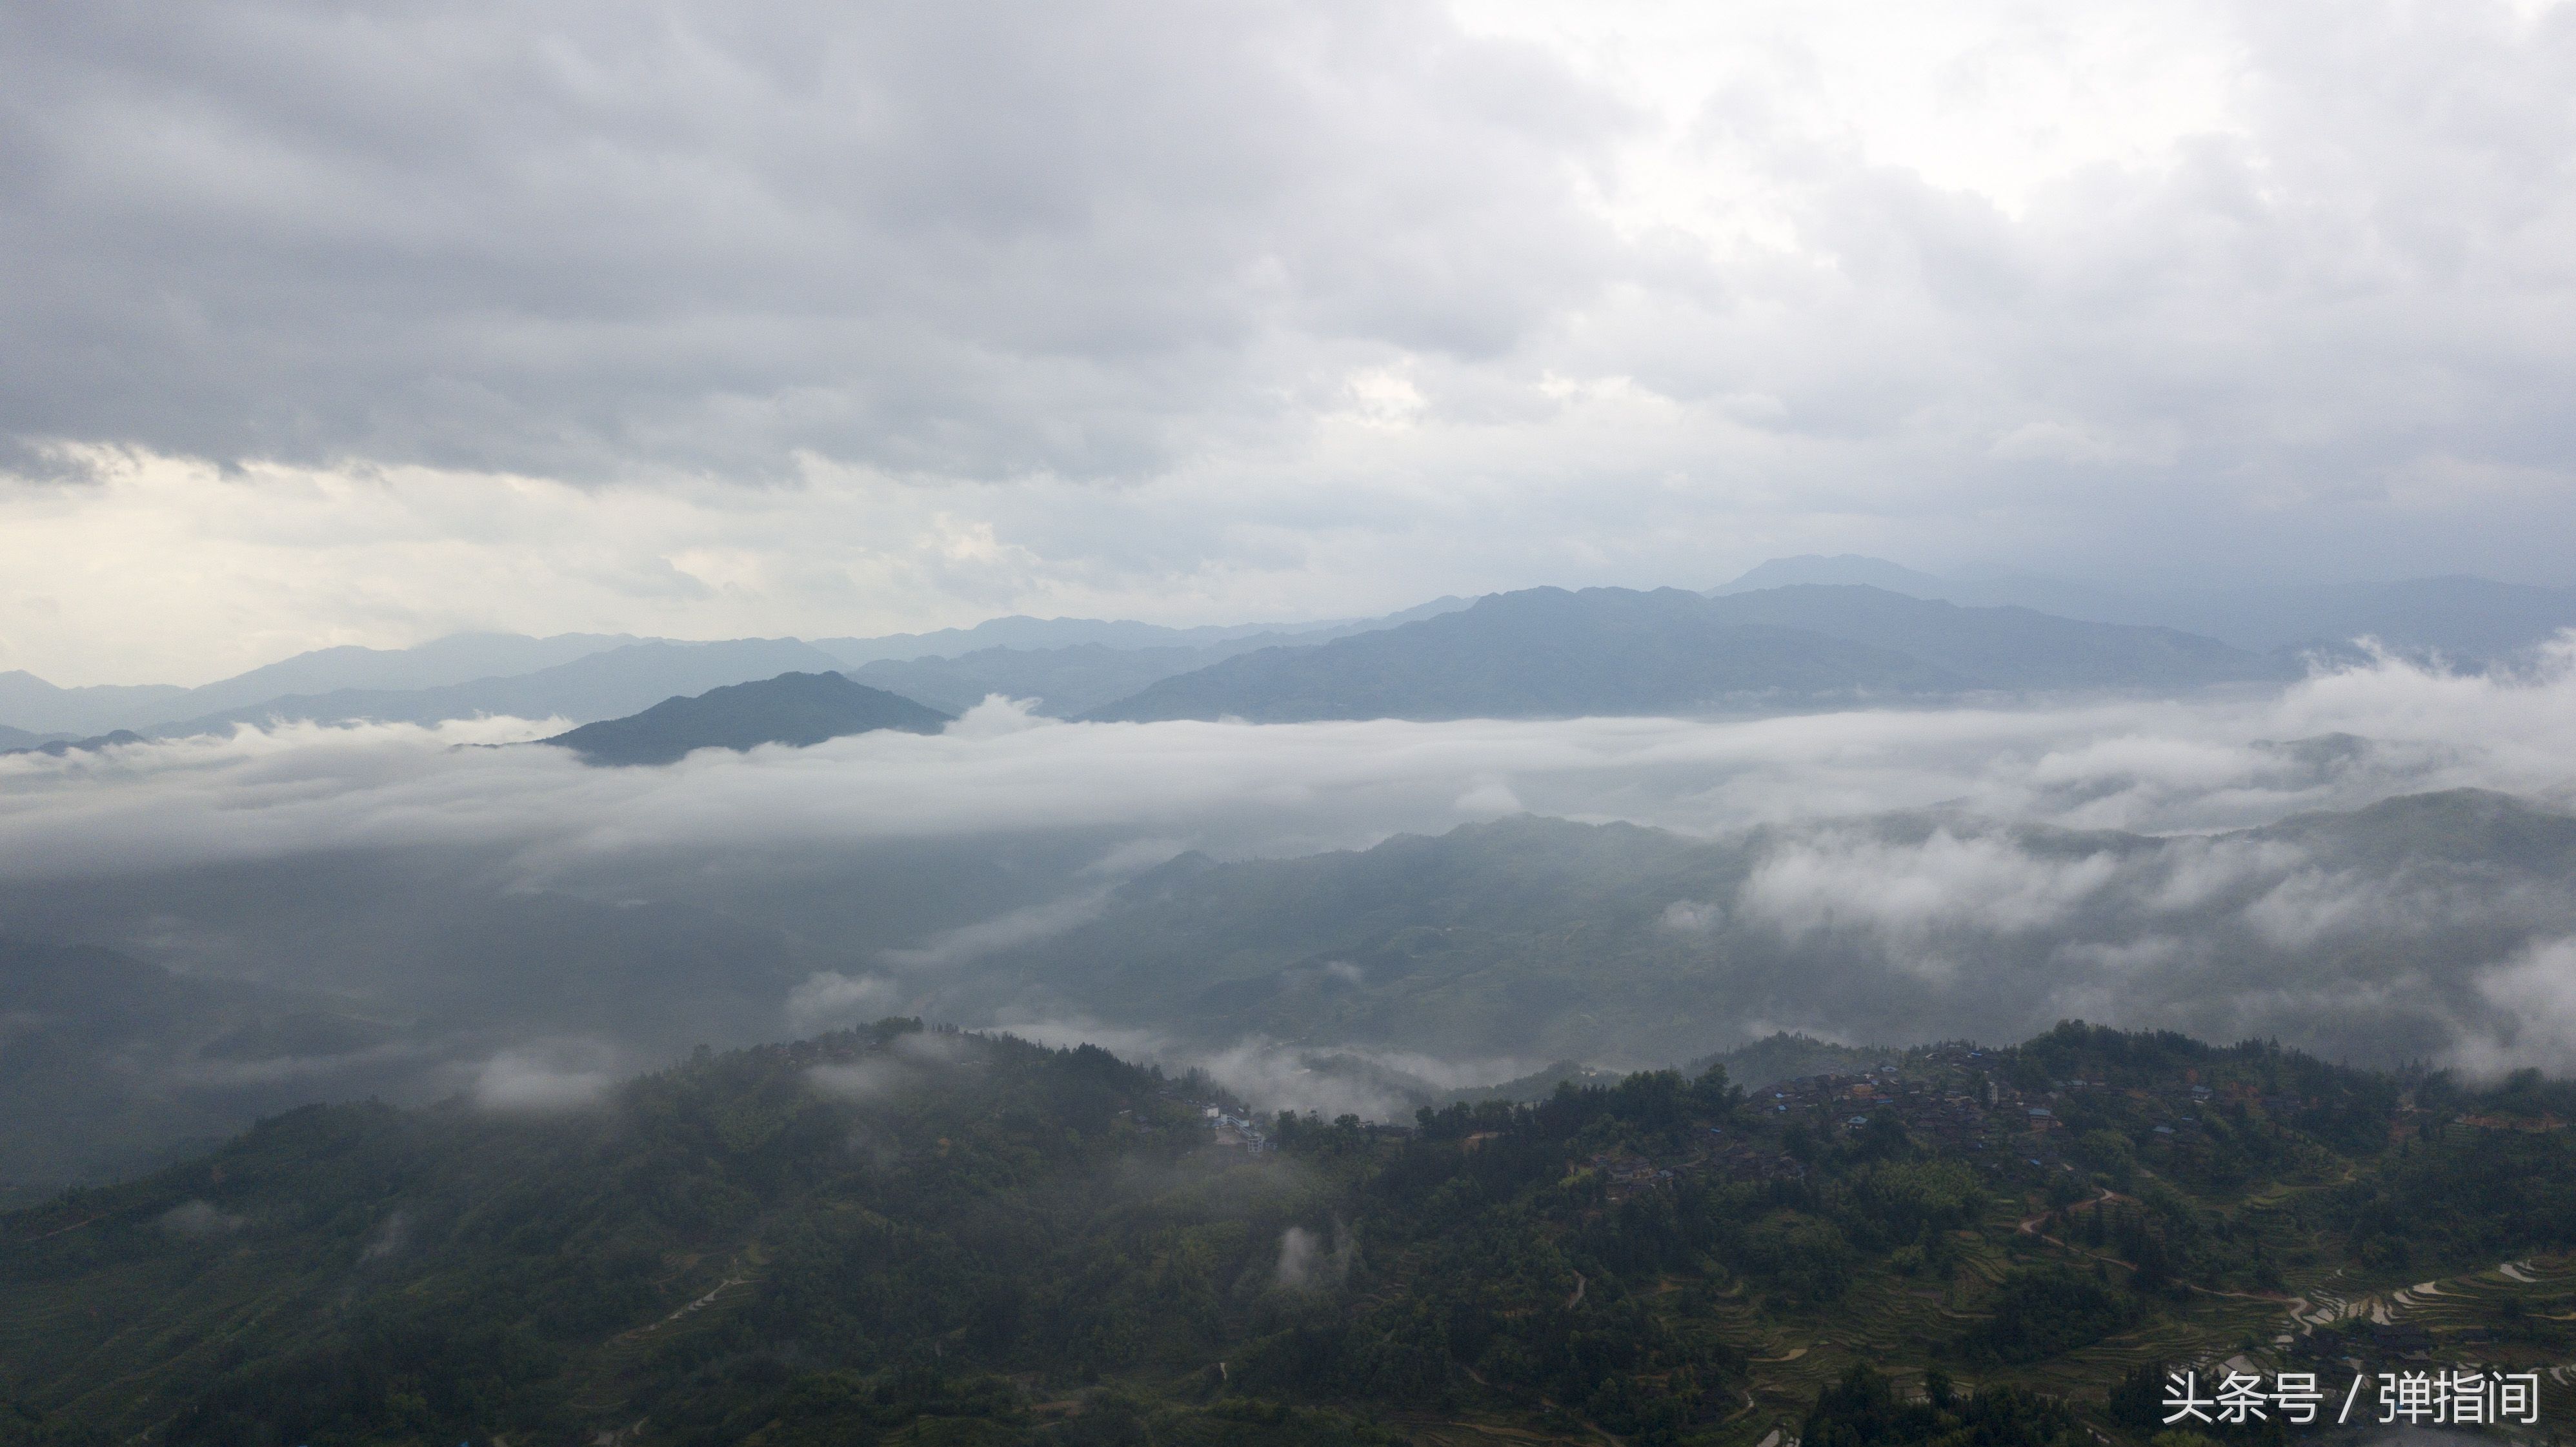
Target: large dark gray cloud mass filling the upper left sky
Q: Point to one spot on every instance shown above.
(583, 241)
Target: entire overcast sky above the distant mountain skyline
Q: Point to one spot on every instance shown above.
(359, 326)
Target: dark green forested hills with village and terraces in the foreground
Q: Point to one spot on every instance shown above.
(908, 1235)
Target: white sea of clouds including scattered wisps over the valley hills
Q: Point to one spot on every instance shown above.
(2183, 771)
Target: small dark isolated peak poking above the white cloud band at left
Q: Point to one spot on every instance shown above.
(795, 709)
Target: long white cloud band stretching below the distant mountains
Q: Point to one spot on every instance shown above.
(2150, 766)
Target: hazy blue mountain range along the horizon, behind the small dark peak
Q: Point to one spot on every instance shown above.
(1130, 671)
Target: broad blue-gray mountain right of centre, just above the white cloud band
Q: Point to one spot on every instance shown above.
(1604, 650)
